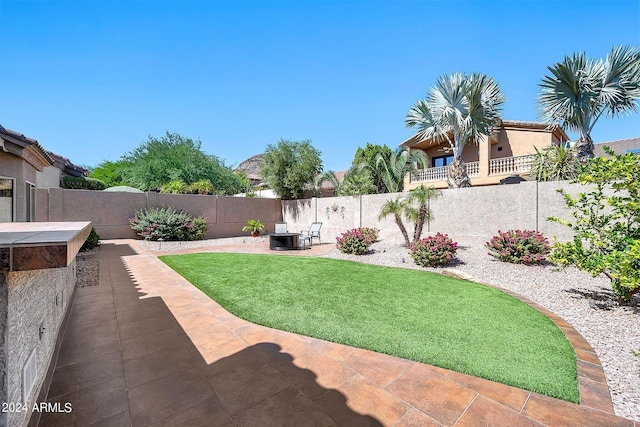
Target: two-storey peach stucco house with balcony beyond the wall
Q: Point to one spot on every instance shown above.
(507, 152)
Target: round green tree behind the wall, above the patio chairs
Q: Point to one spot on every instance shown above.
(289, 166)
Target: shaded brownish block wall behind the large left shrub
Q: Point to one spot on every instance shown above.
(110, 212)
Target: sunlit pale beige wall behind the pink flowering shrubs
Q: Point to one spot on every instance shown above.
(478, 211)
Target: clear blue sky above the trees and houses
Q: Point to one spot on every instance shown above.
(91, 80)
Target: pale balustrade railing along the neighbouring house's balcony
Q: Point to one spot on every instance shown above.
(501, 166)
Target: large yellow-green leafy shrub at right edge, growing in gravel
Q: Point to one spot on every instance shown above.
(606, 223)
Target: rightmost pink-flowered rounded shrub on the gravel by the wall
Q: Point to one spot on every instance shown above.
(519, 246)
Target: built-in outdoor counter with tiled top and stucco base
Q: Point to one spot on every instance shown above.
(37, 283)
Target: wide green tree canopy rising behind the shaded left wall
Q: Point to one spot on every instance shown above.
(173, 157)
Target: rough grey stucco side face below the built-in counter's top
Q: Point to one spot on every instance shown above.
(34, 297)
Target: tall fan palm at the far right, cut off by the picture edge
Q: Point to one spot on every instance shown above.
(580, 90)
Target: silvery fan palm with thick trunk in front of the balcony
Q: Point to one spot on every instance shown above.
(459, 109)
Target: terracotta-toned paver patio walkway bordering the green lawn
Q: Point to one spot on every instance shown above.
(145, 347)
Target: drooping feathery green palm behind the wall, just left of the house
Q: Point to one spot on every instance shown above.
(393, 170)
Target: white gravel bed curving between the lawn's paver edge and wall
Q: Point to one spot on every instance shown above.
(585, 302)
